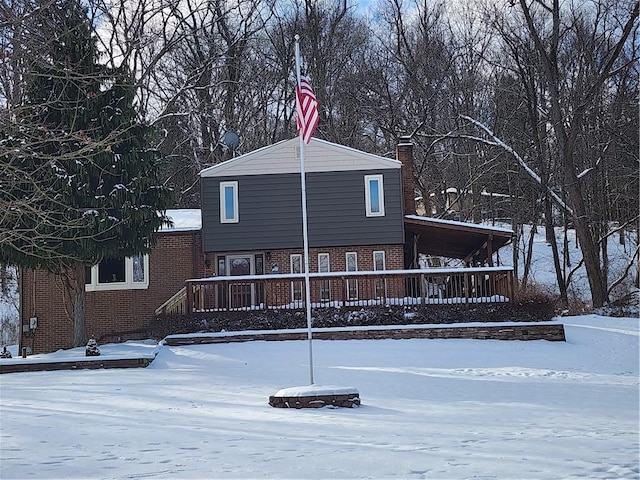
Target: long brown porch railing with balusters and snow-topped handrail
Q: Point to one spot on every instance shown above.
(344, 289)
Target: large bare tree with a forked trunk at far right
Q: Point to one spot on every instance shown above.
(596, 59)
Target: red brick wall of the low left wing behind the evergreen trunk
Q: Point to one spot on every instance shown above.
(176, 257)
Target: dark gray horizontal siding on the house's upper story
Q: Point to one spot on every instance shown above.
(270, 212)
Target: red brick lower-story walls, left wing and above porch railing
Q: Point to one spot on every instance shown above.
(116, 315)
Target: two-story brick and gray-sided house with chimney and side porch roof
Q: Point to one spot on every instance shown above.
(361, 218)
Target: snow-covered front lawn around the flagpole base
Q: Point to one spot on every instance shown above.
(450, 409)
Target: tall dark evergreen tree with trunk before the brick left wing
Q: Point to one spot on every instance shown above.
(78, 178)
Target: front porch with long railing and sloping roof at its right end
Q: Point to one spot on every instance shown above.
(475, 279)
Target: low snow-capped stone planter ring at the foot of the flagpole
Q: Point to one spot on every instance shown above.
(315, 396)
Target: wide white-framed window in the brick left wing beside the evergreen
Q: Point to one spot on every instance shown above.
(118, 274)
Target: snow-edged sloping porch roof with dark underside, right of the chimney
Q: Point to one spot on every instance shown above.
(465, 241)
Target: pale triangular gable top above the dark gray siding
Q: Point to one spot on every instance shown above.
(284, 157)
